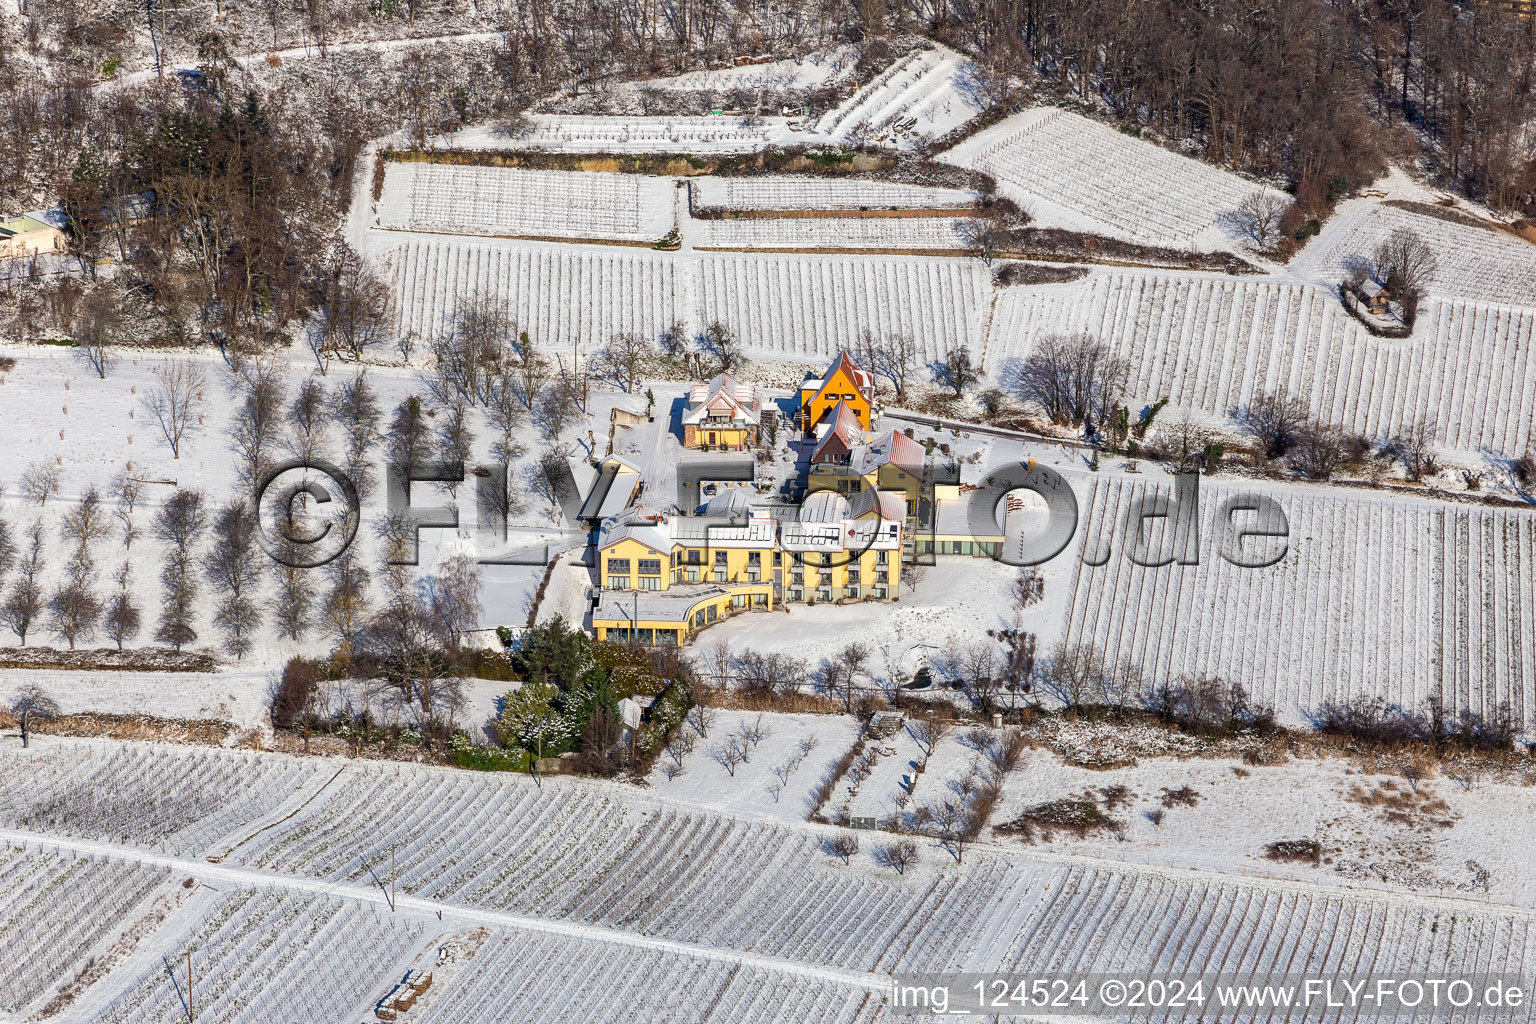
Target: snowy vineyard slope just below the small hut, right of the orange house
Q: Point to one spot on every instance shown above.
(1211, 345)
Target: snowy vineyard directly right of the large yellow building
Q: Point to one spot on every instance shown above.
(1397, 600)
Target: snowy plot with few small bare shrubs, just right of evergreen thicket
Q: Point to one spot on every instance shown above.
(778, 779)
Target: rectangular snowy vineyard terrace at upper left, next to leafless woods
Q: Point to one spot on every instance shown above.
(434, 197)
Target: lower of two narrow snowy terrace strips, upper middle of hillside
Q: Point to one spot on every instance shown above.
(913, 234)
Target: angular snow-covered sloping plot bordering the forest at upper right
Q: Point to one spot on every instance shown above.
(1064, 167)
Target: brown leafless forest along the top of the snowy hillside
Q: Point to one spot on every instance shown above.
(245, 159)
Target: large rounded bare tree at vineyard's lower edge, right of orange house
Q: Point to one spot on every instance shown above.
(1074, 378)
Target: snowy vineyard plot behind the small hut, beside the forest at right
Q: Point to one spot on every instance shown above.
(1472, 263)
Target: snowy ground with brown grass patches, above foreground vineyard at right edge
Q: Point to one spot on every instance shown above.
(1242, 808)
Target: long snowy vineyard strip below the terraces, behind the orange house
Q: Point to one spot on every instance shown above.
(796, 308)
